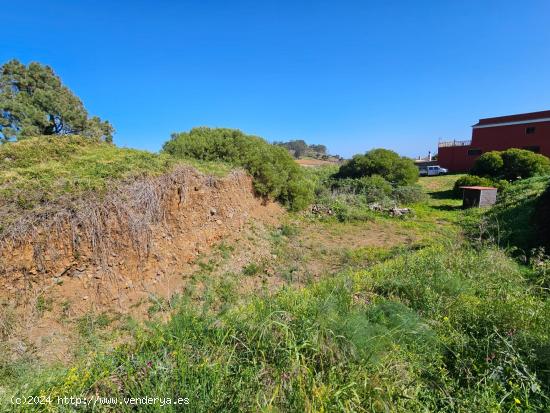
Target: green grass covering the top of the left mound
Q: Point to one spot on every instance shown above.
(45, 170)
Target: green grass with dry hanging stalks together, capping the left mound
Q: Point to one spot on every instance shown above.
(53, 184)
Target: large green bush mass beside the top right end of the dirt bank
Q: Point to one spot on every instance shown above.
(274, 171)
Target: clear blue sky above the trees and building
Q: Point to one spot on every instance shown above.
(350, 75)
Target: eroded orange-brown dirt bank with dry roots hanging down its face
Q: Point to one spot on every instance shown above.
(111, 254)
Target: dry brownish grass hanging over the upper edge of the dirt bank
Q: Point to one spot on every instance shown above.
(130, 208)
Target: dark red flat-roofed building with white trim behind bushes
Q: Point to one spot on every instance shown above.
(526, 131)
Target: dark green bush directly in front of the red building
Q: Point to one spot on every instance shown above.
(511, 165)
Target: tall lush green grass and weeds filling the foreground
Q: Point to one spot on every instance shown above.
(446, 328)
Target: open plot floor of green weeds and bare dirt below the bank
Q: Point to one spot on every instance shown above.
(314, 314)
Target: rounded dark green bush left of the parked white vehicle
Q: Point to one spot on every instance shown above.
(386, 163)
